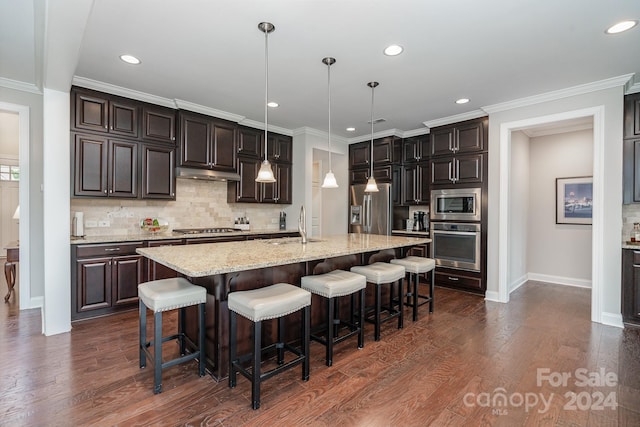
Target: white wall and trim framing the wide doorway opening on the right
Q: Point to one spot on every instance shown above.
(608, 105)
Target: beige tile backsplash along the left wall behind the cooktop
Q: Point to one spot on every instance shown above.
(197, 204)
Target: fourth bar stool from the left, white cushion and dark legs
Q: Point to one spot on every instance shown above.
(382, 273)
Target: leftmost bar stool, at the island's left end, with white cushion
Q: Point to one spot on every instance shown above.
(164, 295)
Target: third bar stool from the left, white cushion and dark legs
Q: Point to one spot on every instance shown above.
(332, 285)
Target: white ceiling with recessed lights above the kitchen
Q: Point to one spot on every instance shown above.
(211, 54)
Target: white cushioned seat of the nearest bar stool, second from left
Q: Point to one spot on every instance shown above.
(270, 302)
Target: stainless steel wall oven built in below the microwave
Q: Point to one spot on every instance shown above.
(456, 245)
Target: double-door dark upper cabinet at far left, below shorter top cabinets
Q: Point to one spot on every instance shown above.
(105, 168)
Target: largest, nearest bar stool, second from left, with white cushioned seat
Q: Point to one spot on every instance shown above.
(271, 302)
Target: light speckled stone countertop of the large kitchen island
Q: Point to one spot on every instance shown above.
(208, 259)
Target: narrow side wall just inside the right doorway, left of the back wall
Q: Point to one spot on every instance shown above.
(520, 208)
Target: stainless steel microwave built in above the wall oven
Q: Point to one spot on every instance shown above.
(458, 204)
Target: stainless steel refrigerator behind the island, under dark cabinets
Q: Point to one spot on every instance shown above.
(370, 213)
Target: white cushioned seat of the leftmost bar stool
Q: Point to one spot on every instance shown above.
(170, 294)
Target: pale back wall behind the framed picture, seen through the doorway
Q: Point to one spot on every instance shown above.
(559, 253)
